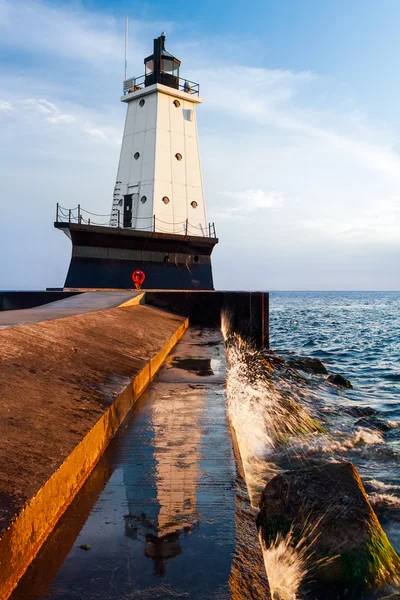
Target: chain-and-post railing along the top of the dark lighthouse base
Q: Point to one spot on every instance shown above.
(81, 216)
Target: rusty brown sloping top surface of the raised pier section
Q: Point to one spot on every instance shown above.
(58, 378)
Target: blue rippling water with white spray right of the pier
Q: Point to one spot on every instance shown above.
(356, 334)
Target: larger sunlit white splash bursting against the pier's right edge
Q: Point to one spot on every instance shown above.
(263, 417)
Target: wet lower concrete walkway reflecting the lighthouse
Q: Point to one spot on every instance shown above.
(158, 514)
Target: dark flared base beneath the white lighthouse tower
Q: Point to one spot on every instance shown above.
(105, 257)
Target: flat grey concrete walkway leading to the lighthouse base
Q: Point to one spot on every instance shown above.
(68, 307)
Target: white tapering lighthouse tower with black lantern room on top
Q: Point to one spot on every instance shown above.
(159, 185)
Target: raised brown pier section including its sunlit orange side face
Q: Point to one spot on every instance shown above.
(66, 386)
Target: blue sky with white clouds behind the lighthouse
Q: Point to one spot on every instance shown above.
(299, 132)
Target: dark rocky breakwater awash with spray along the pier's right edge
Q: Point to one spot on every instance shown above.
(318, 530)
